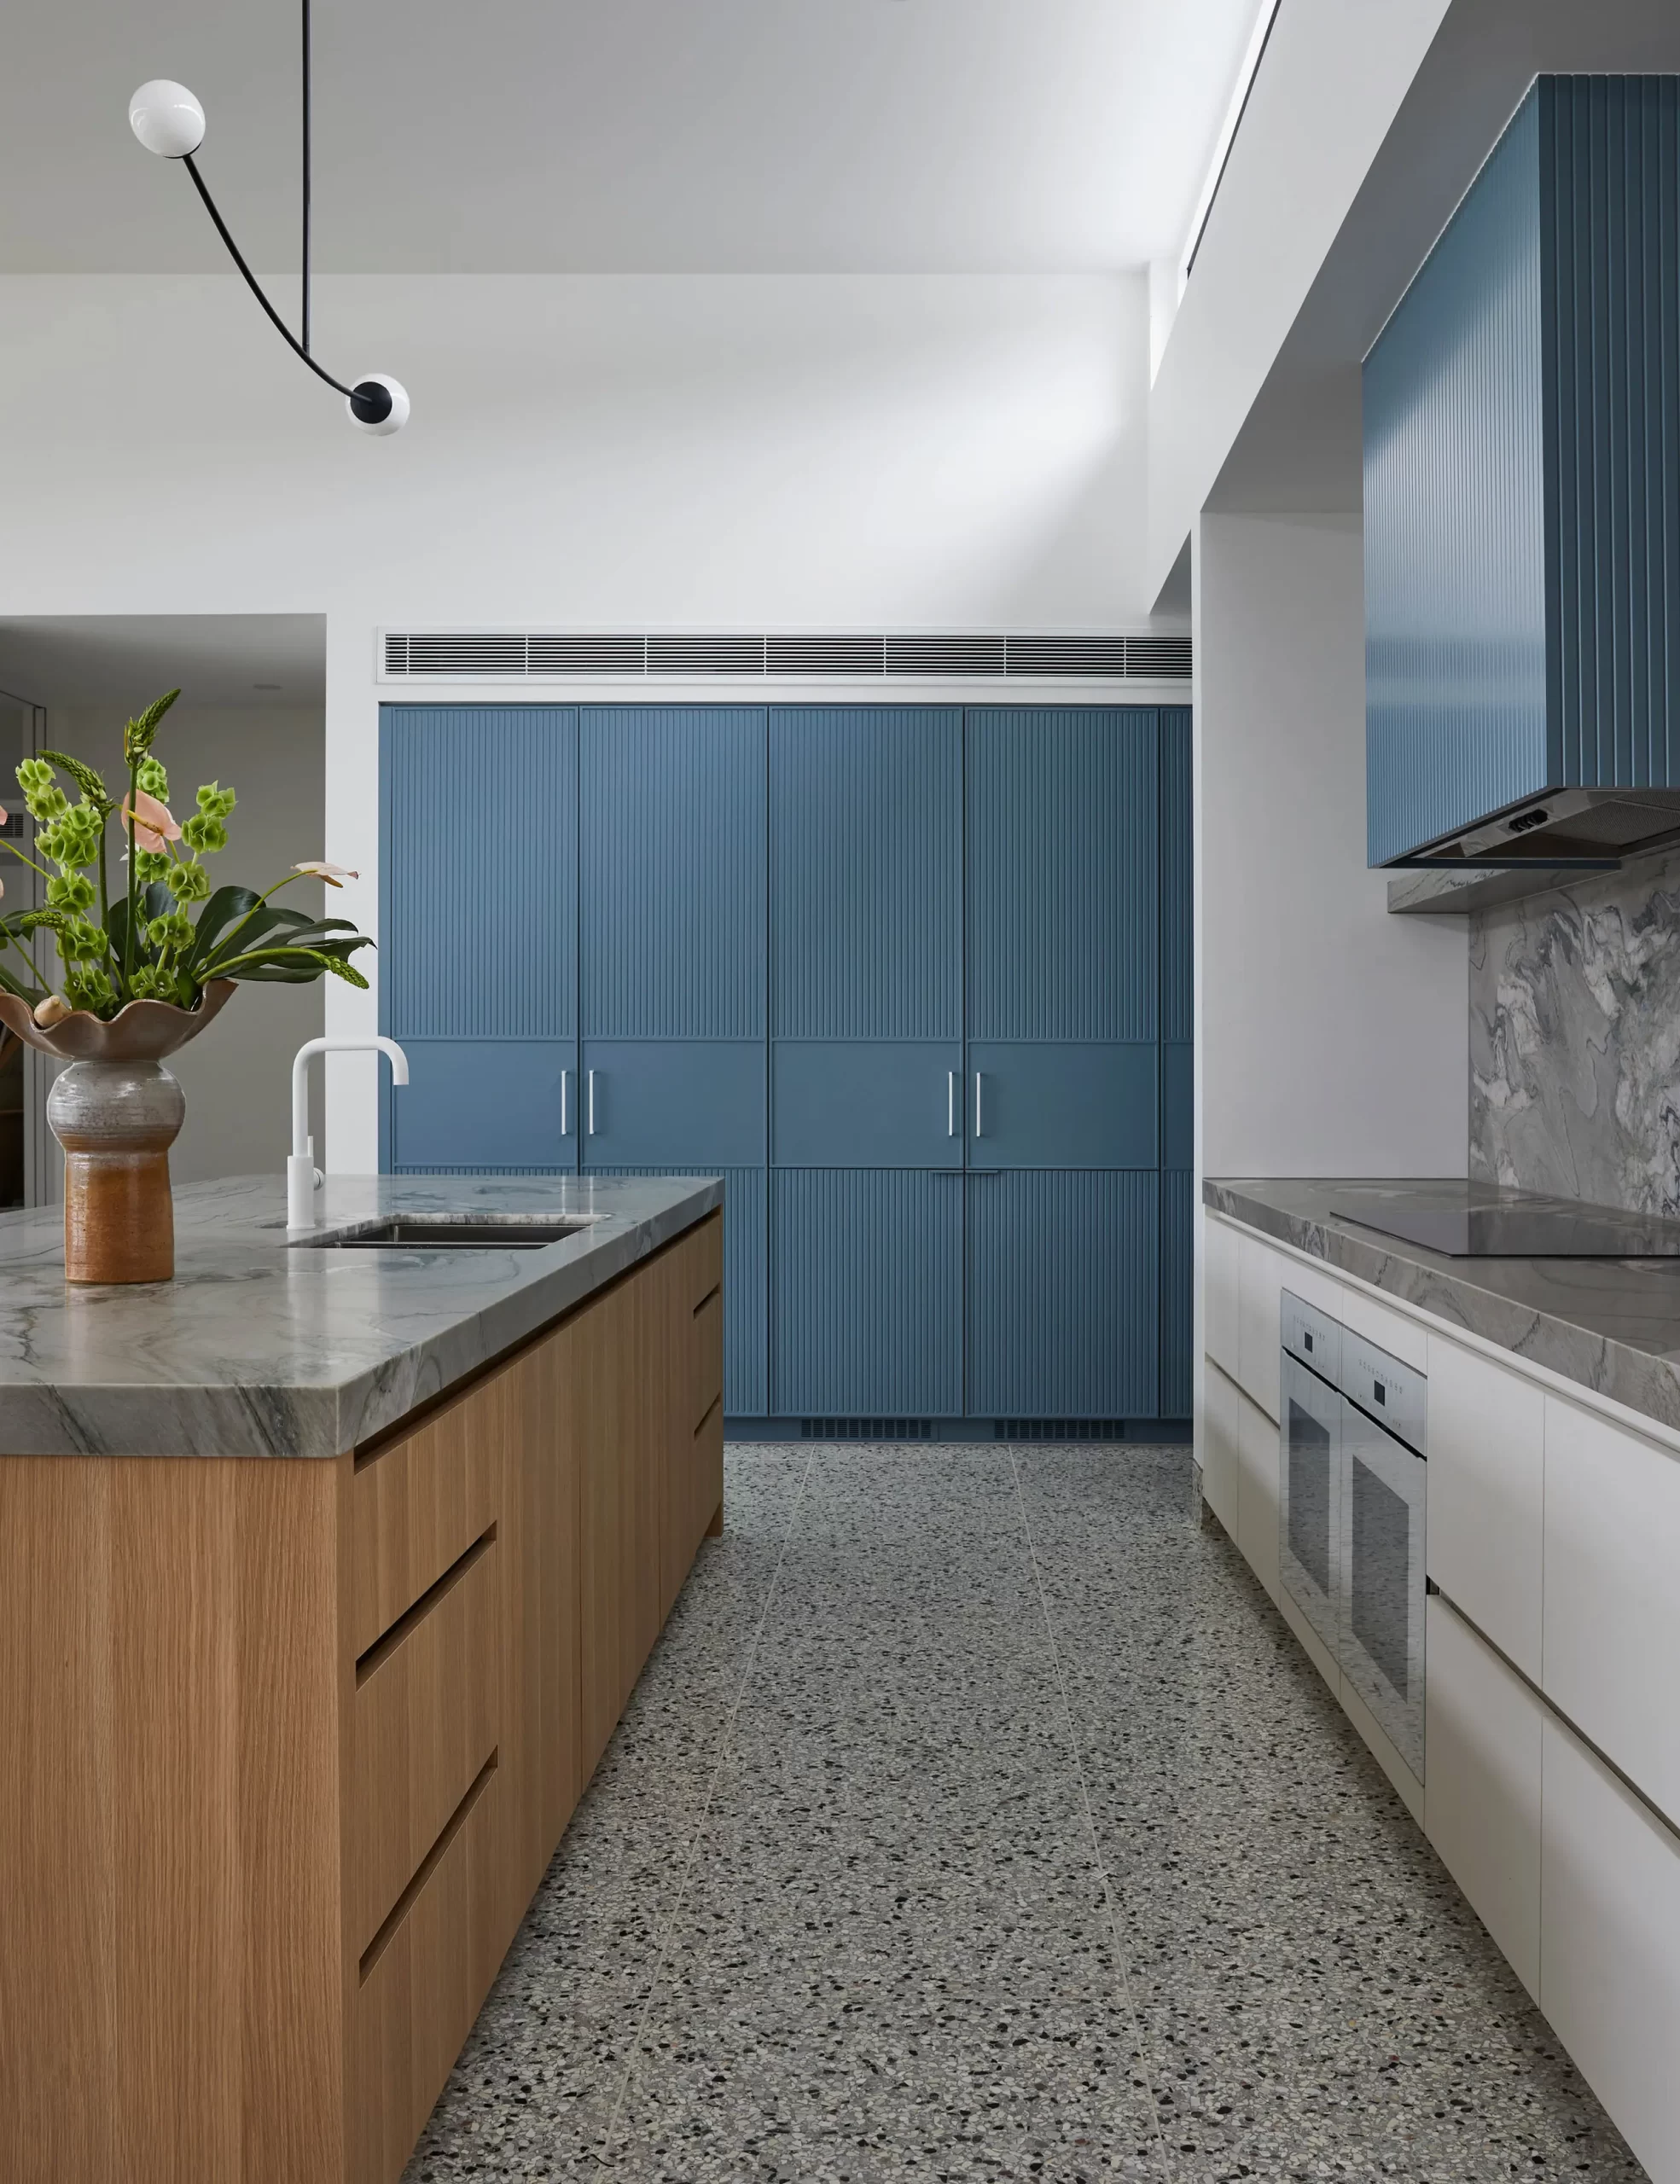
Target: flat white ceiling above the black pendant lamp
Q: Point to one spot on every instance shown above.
(624, 136)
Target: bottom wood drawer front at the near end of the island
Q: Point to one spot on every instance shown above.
(423, 1982)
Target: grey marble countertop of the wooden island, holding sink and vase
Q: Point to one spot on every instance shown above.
(270, 1351)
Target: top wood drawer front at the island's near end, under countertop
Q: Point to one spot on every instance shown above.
(416, 1506)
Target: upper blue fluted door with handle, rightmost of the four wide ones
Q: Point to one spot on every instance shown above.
(1063, 938)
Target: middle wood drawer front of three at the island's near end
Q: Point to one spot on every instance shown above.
(425, 1722)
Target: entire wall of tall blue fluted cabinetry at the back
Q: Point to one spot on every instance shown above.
(914, 980)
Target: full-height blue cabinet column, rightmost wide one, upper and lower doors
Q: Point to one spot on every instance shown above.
(1063, 1063)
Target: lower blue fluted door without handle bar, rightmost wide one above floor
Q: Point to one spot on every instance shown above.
(1063, 1303)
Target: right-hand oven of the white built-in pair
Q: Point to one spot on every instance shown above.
(1384, 1486)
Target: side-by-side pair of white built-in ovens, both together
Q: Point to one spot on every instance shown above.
(1351, 1512)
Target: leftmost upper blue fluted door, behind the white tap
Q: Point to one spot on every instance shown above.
(480, 807)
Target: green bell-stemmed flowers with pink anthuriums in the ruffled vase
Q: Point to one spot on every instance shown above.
(150, 945)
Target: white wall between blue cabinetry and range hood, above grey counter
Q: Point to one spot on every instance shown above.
(1332, 1038)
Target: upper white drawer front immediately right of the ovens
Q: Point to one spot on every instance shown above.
(1487, 1497)
